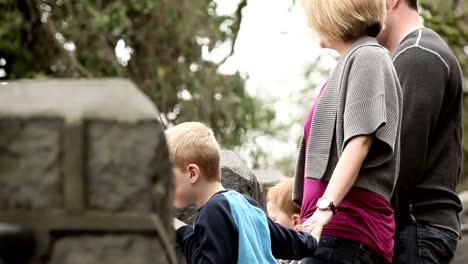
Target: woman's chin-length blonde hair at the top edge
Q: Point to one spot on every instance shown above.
(345, 20)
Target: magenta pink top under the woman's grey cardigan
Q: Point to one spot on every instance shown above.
(362, 216)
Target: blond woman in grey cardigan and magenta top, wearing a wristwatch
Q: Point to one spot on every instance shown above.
(349, 155)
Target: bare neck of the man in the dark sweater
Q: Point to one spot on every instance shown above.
(407, 22)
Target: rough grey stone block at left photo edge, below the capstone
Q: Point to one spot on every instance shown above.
(30, 163)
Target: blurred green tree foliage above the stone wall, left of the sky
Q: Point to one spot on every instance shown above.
(75, 38)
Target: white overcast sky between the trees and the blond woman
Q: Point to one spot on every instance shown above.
(273, 48)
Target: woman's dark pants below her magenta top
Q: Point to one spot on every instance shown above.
(344, 251)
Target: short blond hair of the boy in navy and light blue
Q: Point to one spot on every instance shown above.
(194, 143)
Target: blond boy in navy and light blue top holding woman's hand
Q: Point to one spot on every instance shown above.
(230, 227)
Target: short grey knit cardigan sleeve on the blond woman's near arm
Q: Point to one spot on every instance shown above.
(373, 103)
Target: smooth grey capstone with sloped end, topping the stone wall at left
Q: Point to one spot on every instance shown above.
(75, 100)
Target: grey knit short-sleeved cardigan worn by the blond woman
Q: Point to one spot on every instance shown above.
(363, 96)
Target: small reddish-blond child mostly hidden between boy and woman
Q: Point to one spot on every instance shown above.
(282, 209)
